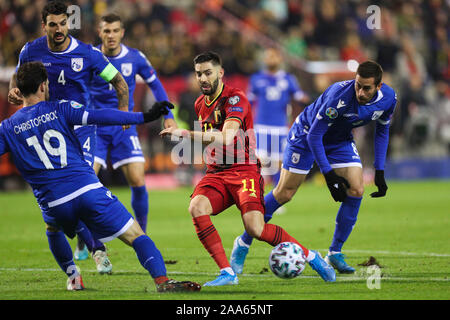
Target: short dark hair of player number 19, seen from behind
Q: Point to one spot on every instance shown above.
(29, 76)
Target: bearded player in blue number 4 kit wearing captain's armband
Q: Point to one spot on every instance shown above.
(71, 64)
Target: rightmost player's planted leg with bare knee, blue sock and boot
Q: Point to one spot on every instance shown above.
(346, 217)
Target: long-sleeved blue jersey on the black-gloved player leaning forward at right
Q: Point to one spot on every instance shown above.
(331, 118)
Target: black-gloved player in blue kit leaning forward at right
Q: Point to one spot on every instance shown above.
(323, 133)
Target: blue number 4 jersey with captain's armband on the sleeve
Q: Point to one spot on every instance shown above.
(70, 71)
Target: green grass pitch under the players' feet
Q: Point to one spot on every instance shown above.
(407, 233)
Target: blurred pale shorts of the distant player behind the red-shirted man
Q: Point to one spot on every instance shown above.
(270, 141)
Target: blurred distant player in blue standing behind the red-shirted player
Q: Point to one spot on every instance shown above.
(270, 92)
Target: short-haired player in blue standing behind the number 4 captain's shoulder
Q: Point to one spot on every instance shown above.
(123, 145)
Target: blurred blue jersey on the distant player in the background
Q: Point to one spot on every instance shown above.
(272, 93)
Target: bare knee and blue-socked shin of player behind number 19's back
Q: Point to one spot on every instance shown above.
(135, 174)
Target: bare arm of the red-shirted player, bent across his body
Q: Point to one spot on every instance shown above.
(224, 137)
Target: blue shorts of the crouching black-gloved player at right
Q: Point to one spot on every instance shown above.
(299, 159)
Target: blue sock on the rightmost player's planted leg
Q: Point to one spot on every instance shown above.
(345, 221)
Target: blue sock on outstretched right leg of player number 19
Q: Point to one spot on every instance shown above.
(149, 256)
